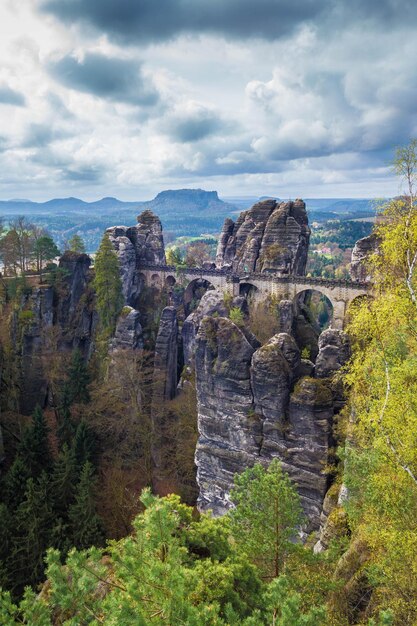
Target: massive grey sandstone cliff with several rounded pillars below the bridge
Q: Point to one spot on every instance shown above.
(256, 404)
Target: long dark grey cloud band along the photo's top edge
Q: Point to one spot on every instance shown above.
(139, 21)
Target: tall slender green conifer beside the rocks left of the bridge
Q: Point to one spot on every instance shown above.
(108, 285)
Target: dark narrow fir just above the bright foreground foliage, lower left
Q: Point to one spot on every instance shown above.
(86, 524)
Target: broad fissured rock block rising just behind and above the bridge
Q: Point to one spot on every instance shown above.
(271, 236)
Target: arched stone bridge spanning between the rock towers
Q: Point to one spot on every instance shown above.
(340, 293)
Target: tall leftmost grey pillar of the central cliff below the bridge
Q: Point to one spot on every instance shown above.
(230, 433)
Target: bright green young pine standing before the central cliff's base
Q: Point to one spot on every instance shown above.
(267, 514)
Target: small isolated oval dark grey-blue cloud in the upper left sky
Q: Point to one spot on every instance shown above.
(115, 79)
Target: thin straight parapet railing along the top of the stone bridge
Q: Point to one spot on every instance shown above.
(259, 276)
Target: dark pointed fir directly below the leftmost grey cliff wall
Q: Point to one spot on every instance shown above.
(34, 447)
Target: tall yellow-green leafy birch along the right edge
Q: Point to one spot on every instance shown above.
(381, 460)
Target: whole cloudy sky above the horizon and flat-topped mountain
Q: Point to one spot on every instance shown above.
(249, 97)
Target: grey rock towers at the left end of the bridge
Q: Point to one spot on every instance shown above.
(137, 246)
